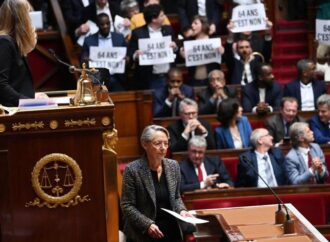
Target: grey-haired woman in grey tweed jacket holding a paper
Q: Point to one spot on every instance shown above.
(149, 184)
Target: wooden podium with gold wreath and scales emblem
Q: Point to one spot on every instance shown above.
(58, 175)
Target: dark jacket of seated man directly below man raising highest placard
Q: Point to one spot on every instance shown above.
(250, 96)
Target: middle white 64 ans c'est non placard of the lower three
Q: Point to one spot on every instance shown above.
(156, 51)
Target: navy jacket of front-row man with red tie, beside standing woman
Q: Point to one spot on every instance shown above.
(213, 165)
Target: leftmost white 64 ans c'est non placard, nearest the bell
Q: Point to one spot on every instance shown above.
(110, 58)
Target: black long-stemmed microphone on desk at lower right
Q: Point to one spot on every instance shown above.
(280, 217)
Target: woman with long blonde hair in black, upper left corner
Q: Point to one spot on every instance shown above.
(17, 39)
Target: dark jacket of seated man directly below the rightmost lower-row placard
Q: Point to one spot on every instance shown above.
(205, 105)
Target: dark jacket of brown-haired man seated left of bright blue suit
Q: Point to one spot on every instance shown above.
(275, 126)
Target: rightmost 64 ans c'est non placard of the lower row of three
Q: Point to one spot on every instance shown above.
(204, 51)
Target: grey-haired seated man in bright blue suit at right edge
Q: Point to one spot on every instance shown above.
(320, 122)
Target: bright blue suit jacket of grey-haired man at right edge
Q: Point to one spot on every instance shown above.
(321, 130)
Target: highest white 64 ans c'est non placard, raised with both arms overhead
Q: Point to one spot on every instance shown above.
(249, 18)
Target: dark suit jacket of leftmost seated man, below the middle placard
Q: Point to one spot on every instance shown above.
(160, 108)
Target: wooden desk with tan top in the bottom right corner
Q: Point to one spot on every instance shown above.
(255, 223)
